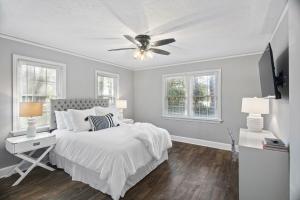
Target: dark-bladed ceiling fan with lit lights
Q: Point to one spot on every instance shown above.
(144, 46)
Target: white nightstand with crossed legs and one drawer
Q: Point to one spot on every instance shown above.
(21, 144)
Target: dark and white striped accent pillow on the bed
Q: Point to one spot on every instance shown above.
(101, 122)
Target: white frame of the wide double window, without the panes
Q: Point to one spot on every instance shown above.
(188, 77)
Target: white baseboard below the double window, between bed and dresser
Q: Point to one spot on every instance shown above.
(206, 143)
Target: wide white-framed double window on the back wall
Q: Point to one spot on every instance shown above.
(194, 95)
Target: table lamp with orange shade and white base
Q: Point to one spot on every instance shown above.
(31, 110)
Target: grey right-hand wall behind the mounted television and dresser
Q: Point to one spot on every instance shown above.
(278, 119)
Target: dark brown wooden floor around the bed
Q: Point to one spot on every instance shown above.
(192, 172)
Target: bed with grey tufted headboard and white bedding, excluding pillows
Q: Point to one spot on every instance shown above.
(111, 160)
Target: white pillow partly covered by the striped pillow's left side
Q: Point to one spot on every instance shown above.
(78, 119)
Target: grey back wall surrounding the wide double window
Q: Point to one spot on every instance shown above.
(239, 79)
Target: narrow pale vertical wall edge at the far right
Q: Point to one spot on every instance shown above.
(294, 38)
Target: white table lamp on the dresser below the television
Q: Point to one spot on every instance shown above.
(255, 107)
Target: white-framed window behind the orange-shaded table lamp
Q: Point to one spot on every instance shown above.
(36, 80)
